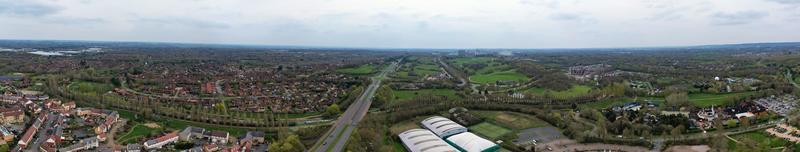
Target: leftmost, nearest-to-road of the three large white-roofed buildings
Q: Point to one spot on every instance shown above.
(421, 140)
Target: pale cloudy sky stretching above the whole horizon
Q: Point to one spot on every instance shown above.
(408, 23)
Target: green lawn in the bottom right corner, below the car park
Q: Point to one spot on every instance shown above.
(763, 139)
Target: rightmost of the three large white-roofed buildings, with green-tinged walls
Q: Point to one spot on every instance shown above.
(469, 142)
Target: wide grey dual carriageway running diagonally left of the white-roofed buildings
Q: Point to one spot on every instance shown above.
(340, 132)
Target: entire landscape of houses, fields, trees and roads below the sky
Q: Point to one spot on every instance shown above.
(115, 96)
